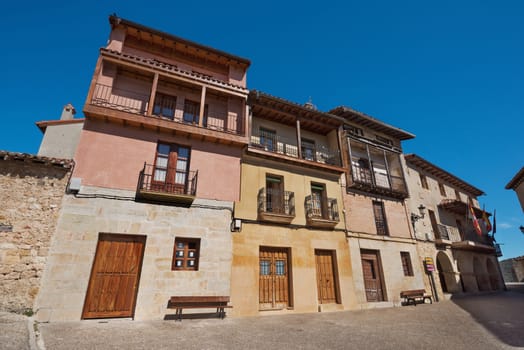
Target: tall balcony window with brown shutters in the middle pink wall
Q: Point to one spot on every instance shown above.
(171, 168)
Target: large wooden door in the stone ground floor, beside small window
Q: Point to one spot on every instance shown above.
(115, 275)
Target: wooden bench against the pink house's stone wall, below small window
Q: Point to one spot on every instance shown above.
(198, 302)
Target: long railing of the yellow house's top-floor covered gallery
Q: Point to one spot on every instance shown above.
(271, 142)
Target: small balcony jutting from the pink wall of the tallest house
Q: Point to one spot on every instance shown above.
(180, 189)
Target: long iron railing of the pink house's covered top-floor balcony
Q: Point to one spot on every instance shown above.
(136, 103)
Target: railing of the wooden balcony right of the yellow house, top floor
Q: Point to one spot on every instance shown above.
(377, 181)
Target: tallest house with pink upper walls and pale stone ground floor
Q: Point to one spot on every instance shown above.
(149, 208)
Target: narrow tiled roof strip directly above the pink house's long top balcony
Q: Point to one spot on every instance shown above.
(170, 68)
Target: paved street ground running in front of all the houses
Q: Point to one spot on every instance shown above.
(487, 321)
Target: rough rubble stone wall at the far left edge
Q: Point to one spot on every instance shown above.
(31, 190)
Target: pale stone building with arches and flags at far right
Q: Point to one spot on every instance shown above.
(464, 260)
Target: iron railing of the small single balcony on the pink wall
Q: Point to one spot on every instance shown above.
(169, 181)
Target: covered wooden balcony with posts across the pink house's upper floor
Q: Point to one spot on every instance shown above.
(147, 93)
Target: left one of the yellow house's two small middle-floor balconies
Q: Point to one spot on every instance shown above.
(276, 206)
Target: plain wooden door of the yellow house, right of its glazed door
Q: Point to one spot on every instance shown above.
(326, 277)
